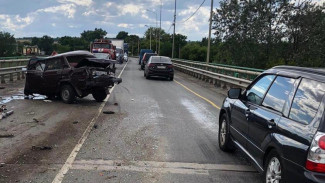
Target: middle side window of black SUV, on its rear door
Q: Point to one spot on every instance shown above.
(278, 95)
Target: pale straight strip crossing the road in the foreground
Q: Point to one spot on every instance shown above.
(161, 167)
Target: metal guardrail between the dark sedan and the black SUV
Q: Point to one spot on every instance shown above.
(217, 74)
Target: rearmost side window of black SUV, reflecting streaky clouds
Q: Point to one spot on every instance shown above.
(307, 100)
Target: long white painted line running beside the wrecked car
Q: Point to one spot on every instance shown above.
(68, 163)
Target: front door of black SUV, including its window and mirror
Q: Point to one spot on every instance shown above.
(241, 109)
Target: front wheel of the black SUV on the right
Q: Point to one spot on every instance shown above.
(225, 143)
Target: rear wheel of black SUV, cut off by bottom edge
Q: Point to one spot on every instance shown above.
(273, 168)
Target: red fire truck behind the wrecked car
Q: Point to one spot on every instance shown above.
(103, 46)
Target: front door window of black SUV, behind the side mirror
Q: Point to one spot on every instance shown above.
(256, 92)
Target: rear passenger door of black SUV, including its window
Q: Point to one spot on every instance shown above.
(263, 118)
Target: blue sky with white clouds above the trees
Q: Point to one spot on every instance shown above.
(58, 18)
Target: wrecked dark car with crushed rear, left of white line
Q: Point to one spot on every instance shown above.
(70, 75)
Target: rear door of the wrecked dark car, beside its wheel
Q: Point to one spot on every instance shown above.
(52, 74)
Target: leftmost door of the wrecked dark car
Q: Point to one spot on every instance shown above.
(34, 77)
